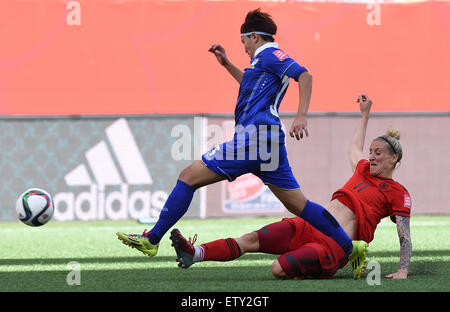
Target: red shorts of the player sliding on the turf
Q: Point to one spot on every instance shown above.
(305, 252)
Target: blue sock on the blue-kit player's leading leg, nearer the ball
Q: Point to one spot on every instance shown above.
(175, 207)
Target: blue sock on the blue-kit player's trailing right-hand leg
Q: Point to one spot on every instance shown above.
(322, 220)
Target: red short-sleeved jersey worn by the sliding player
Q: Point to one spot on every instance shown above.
(372, 198)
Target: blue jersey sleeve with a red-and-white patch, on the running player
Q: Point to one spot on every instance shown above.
(280, 64)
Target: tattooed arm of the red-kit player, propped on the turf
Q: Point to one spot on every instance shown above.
(405, 248)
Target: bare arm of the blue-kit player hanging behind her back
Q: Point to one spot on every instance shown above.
(299, 125)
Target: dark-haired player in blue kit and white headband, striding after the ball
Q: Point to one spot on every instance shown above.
(258, 144)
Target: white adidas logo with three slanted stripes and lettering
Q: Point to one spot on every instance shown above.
(119, 166)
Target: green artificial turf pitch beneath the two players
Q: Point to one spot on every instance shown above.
(37, 259)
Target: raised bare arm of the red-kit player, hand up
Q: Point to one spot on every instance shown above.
(357, 143)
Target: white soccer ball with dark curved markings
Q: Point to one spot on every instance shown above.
(34, 207)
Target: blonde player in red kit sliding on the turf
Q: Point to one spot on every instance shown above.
(368, 196)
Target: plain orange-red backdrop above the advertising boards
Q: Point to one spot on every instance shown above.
(149, 56)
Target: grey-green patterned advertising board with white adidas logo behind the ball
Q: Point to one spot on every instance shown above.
(95, 169)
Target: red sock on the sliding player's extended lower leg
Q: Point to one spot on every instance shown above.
(221, 250)
